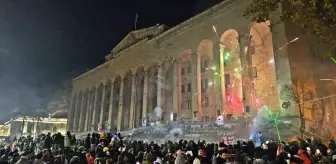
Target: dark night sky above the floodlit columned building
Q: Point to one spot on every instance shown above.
(46, 42)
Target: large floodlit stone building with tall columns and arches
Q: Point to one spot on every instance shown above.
(216, 63)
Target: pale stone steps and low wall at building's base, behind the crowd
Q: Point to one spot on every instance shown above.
(234, 130)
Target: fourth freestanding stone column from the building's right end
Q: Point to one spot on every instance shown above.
(176, 86)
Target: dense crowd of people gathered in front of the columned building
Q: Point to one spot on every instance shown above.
(108, 148)
